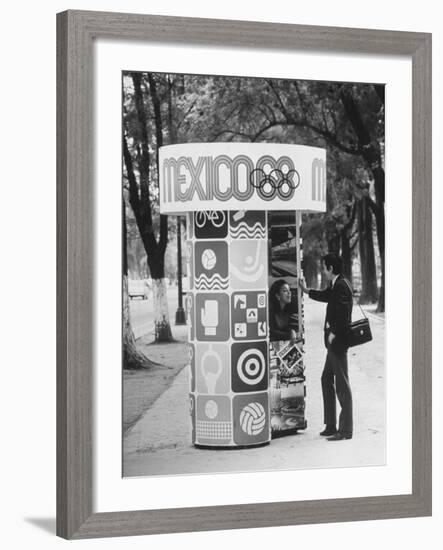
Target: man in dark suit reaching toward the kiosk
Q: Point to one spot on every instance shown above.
(335, 379)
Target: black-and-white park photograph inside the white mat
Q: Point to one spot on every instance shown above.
(253, 274)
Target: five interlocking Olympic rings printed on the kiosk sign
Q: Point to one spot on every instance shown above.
(276, 182)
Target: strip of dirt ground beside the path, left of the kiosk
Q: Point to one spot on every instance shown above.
(143, 387)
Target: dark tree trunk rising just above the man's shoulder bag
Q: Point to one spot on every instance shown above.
(367, 258)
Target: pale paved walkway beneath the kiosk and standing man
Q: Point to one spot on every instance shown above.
(159, 443)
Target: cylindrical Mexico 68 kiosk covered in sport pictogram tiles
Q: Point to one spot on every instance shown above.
(226, 191)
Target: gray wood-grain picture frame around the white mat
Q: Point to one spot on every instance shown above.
(76, 32)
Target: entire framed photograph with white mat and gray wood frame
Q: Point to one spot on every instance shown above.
(218, 183)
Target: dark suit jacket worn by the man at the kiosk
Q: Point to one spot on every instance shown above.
(338, 312)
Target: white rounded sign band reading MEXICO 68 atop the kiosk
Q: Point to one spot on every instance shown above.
(242, 176)
